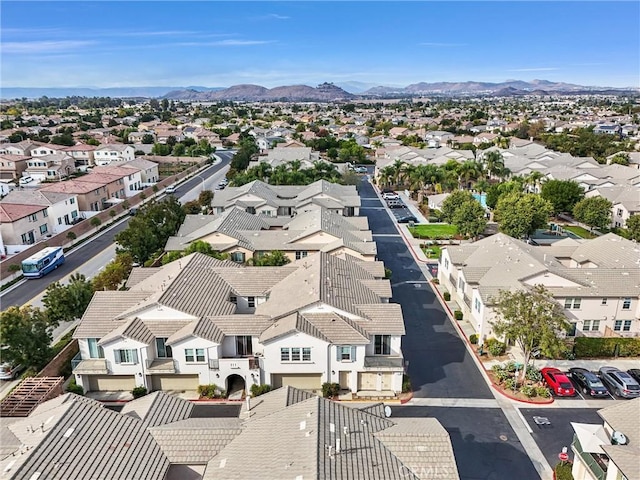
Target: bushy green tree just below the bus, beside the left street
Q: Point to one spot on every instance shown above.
(67, 302)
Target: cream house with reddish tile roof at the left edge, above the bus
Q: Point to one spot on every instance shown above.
(23, 225)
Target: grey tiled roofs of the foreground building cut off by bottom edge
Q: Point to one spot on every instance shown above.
(286, 433)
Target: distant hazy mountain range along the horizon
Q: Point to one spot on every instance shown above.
(323, 92)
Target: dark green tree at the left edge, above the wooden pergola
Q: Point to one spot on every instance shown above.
(27, 334)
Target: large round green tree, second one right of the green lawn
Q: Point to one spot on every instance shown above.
(520, 214)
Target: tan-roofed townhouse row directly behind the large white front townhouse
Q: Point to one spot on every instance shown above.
(244, 236)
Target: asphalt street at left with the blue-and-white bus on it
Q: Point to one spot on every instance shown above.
(28, 289)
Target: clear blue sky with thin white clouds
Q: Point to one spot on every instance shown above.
(219, 44)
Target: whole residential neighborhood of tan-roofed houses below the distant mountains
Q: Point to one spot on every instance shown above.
(334, 280)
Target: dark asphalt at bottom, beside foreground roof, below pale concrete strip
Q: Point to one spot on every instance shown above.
(484, 444)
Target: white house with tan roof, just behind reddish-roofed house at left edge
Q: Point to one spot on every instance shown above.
(62, 208)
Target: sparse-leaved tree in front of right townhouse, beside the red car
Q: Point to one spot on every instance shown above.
(532, 319)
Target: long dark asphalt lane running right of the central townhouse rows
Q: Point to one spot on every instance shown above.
(439, 364)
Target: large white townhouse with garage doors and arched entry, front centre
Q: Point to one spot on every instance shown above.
(199, 320)
